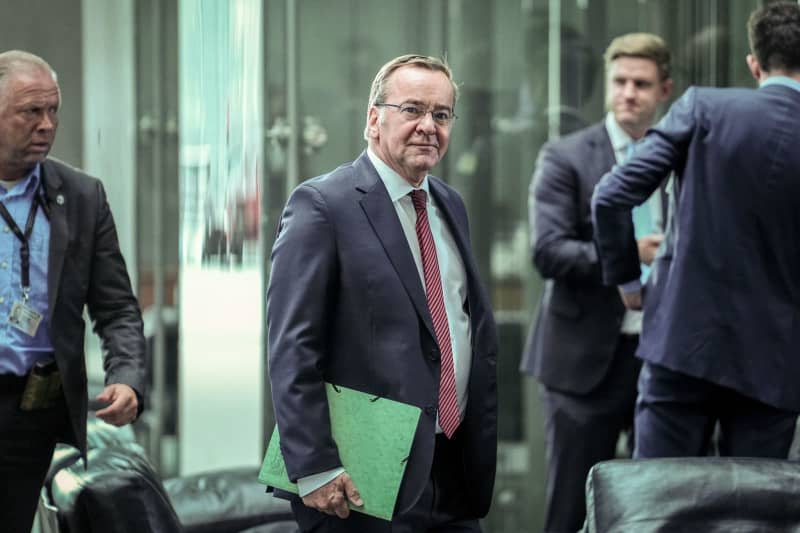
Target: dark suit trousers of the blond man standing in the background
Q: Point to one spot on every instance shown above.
(582, 430)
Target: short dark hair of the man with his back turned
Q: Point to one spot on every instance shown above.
(774, 33)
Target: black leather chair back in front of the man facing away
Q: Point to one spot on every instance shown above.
(693, 495)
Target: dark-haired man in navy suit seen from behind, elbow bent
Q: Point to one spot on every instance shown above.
(722, 307)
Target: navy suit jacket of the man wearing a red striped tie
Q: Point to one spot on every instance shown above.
(346, 305)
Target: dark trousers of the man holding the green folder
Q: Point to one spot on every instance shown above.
(440, 509)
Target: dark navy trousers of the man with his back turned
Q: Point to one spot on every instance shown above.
(676, 415)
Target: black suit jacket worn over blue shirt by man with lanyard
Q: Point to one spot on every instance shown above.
(86, 269)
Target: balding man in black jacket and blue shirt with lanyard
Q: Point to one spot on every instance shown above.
(58, 254)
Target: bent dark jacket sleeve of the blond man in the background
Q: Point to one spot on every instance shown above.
(559, 250)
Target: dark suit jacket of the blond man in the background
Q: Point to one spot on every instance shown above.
(577, 327)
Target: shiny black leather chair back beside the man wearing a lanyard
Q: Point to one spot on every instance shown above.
(119, 492)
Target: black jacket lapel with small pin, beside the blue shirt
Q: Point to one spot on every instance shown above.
(59, 232)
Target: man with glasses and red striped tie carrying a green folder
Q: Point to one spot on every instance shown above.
(377, 292)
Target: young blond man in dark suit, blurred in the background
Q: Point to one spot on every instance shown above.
(582, 344)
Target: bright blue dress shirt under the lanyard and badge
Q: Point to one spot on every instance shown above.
(18, 351)
